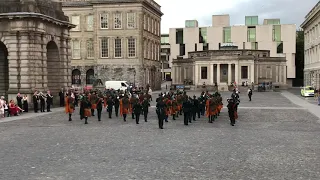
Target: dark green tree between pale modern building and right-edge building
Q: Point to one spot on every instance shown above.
(299, 61)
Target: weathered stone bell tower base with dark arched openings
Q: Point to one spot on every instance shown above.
(34, 47)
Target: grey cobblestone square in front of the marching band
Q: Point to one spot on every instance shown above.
(275, 140)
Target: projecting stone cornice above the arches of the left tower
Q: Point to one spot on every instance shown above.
(20, 15)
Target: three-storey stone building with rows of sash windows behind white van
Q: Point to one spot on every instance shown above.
(115, 40)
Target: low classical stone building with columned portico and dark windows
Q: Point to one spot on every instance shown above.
(228, 66)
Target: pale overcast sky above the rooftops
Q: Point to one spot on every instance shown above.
(177, 11)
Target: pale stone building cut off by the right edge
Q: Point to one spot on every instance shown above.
(311, 27)
